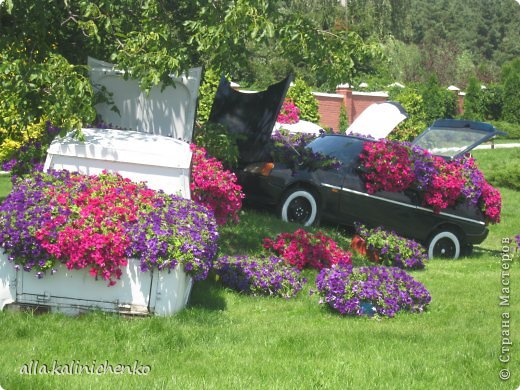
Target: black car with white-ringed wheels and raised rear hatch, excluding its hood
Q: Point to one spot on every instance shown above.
(339, 195)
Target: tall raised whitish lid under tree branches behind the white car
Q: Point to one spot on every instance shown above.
(169, 112)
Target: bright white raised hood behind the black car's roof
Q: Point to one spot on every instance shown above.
(378, 120)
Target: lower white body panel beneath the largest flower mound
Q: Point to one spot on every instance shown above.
(71, 292)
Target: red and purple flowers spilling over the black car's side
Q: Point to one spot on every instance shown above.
(398, 166)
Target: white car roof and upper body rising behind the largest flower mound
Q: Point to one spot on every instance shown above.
(163, 162)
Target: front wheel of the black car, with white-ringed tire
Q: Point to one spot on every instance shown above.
(299, 206)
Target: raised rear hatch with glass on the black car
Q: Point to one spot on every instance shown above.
(452, 138)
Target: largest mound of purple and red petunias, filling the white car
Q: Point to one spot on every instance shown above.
(98, 222)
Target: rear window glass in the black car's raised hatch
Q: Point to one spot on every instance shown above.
(449, 141)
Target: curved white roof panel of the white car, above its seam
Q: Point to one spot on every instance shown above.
(124, 146)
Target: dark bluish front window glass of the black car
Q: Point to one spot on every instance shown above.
(344, 148)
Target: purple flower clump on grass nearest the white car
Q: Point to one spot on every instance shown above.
(259, 275)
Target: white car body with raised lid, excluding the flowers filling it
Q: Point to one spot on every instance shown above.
(155, 151)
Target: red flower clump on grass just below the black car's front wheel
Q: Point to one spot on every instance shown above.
(306, 250)
